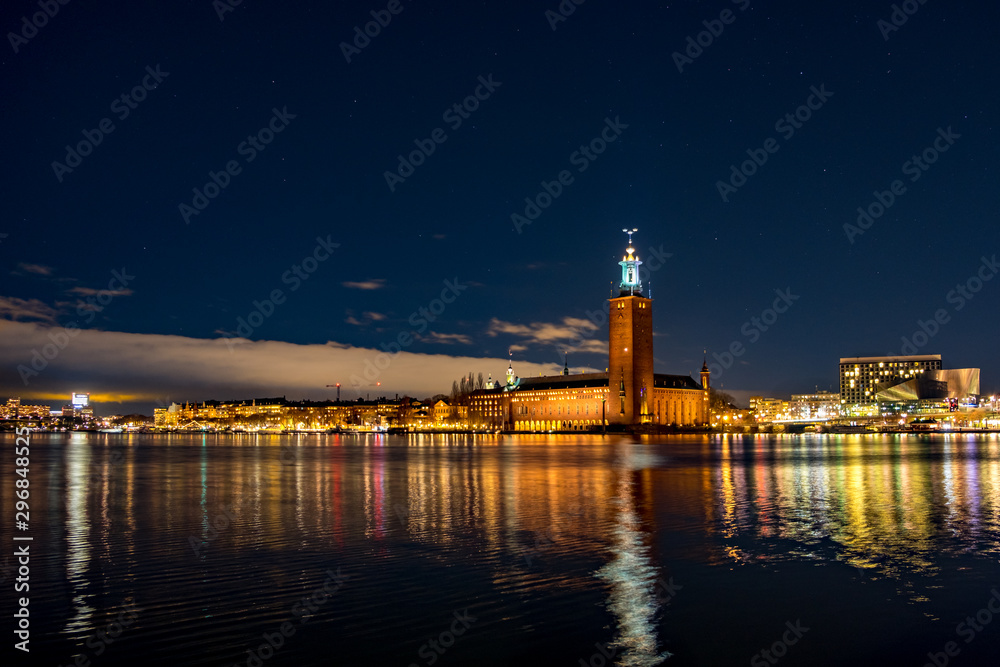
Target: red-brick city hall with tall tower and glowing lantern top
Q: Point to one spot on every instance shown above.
(629, 393)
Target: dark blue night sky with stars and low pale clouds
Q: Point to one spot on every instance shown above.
(177, 280)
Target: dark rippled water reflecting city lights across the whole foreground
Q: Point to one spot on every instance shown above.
(545, 550)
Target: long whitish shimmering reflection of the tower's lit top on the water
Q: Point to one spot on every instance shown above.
(631, 573)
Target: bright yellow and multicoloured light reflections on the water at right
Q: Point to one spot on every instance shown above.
(887, 504)
